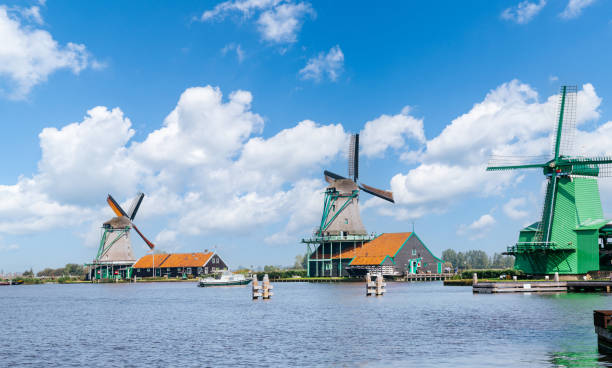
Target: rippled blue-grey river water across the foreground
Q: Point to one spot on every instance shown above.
(318, 325)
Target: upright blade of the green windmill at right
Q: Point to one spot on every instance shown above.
(564, 133)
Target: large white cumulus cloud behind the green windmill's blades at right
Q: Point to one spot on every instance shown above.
(510, 120)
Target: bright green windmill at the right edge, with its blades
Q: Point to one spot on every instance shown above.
(572, 234)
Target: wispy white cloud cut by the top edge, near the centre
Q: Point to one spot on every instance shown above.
(279, 21)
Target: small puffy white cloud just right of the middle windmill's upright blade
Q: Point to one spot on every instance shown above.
(391, 132)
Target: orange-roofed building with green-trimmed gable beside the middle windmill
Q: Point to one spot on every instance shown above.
(394, 254)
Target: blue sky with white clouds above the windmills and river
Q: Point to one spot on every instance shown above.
(434, 88)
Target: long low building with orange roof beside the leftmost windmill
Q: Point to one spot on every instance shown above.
(178, 264)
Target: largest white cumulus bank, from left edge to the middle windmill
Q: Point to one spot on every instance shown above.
(205, 169)
